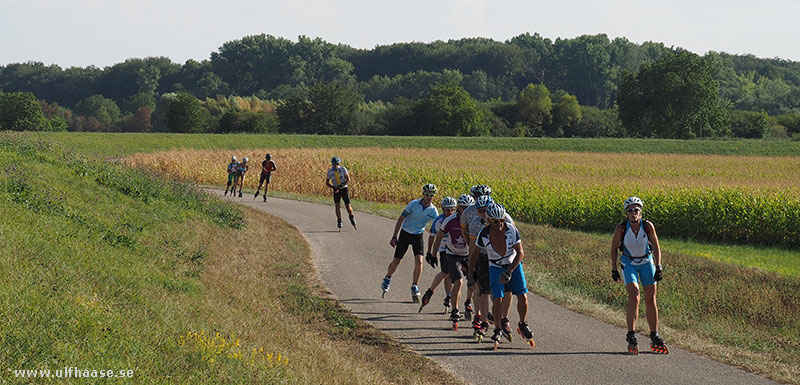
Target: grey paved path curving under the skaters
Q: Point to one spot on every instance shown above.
(570, 348)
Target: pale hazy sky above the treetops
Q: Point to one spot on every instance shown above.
(105, 32)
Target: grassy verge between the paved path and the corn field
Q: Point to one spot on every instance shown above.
(742, 316)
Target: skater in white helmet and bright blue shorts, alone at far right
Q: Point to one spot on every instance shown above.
(640, 262)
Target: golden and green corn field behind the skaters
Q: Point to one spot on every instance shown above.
(735, 199)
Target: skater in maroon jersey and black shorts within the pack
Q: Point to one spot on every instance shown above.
(457, 252)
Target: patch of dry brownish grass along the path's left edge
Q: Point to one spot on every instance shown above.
(252, 282)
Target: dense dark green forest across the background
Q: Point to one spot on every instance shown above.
(526, 86)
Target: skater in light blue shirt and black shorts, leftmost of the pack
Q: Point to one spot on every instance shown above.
(413, 220)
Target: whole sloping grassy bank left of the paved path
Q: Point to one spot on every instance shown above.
(108, 268)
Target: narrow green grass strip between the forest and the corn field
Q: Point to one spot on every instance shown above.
(116, 145)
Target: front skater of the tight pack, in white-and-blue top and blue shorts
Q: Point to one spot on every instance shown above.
(502, 243)
